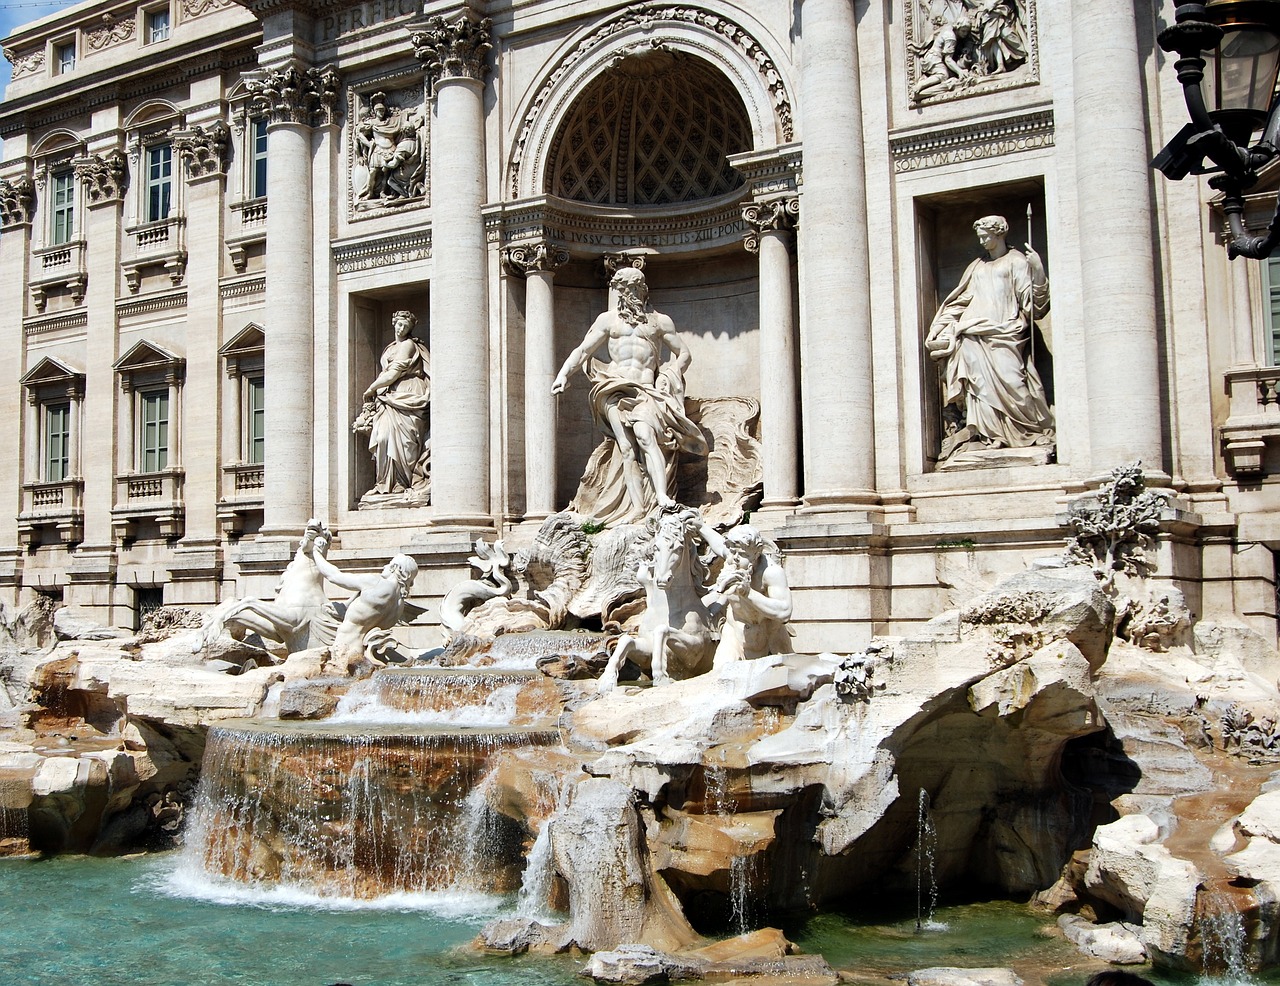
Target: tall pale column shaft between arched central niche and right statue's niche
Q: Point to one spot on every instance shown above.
(835, 334)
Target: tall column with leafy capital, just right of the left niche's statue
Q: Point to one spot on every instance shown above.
(454, 53)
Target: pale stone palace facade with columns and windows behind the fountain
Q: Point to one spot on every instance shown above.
(217, 213)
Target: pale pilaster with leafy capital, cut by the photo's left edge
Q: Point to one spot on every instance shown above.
(17, 204)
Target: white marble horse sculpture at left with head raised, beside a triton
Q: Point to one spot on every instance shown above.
(299, 617)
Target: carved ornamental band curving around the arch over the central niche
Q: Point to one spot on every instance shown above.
(650, 17)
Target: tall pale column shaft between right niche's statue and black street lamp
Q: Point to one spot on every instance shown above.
(1113, 180)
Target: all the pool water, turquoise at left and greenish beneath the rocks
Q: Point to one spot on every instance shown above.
(148, 921)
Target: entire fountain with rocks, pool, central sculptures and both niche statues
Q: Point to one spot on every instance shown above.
(616, 764)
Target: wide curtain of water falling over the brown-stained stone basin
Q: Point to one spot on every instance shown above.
(351, 814)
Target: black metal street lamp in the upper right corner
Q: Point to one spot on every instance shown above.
(1229, 54)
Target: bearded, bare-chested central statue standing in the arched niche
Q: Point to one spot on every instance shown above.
(638, 400)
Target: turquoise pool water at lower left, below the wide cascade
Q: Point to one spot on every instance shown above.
(75, 921)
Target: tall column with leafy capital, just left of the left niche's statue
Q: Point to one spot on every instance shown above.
(295, 101)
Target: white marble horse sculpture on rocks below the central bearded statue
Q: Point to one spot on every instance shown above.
(675, 638)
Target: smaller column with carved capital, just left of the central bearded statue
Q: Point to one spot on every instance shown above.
(538, 264)
